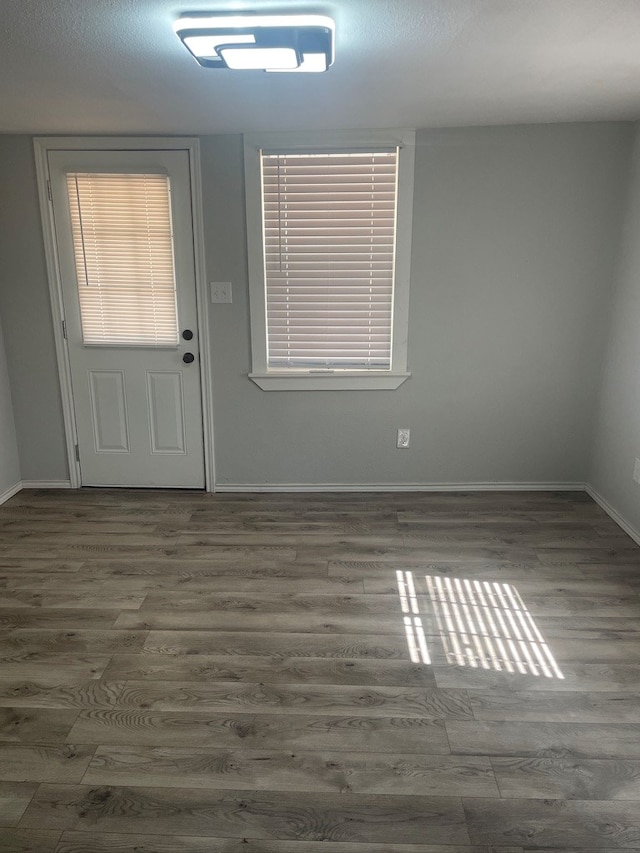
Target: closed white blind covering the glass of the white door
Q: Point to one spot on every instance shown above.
(123, 245)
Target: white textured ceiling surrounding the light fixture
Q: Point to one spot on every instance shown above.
(115, 66)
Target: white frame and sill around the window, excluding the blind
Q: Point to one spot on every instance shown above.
(303, 379)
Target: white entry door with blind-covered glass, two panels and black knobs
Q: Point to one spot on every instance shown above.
(126, 253)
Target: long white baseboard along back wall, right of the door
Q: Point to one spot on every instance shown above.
(399, 487)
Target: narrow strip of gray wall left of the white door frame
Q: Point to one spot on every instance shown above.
(26, 317)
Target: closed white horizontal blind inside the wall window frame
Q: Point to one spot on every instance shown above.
(329, 246)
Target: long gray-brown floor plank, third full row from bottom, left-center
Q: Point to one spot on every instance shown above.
(256, 731)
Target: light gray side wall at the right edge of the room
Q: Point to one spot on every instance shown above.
(617, 433)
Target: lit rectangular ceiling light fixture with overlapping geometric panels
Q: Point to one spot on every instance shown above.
(259, 42)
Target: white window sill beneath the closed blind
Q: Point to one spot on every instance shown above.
(342, 381)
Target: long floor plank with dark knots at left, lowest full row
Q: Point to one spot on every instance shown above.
(238, 814)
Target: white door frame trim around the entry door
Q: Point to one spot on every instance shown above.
(42, 146)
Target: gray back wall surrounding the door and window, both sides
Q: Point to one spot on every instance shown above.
(515, 234)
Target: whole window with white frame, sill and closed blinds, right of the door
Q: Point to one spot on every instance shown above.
(329, 229)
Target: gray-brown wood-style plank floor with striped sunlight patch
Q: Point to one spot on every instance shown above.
(353, 673)
